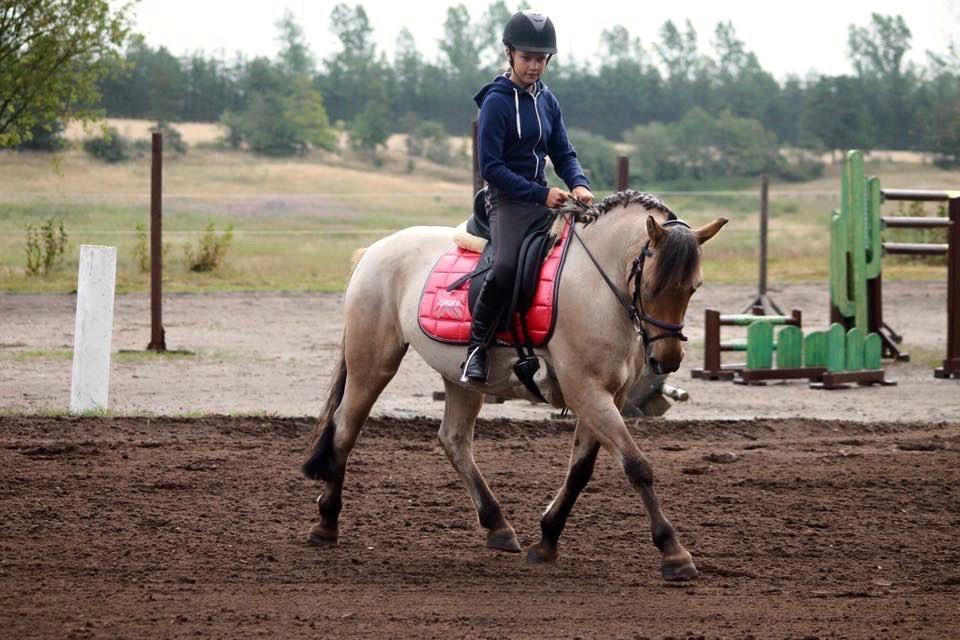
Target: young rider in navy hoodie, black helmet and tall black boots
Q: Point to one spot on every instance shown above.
(518, 126)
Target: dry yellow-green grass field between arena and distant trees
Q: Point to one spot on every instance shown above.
(297, 222)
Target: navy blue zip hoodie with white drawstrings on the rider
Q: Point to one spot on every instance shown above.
(516, 130)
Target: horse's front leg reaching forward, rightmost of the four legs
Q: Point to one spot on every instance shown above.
(598, 412)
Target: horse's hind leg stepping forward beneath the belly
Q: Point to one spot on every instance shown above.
(456, 436)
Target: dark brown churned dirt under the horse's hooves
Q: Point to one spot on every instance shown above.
(178, 527)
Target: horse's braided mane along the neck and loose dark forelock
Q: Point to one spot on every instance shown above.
(678, 254)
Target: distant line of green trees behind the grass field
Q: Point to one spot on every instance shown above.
(668, 89)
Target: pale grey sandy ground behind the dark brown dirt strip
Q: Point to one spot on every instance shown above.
(272, 353)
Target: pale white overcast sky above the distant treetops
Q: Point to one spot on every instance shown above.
(789, 38)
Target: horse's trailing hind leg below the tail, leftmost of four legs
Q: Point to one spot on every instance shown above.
(367, 367)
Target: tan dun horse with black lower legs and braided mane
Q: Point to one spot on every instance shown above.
(628, 247)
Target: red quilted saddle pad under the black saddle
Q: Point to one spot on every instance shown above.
(444, 315)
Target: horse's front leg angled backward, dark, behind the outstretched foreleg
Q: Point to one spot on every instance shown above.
(582, 459)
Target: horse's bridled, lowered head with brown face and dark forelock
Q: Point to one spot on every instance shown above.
(670, 275)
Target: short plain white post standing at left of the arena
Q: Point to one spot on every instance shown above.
(94, 328)
